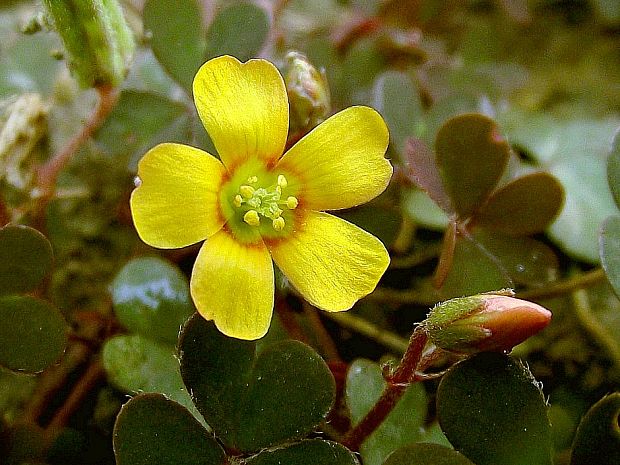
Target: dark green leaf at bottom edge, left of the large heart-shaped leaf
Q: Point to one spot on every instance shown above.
(153, 430)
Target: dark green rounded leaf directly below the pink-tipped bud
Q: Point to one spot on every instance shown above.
(492, 411)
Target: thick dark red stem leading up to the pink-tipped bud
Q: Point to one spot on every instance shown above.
(398, 382)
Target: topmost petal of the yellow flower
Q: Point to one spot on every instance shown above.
(243, 107)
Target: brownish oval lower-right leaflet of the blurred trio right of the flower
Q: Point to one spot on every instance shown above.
(526, 205)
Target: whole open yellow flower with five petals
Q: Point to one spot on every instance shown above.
(256, 204)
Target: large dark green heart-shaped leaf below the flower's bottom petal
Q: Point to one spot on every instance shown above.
(254, 400)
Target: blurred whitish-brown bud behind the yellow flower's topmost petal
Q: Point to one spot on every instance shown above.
(308, 93)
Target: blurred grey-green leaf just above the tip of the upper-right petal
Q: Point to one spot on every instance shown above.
(397, 99)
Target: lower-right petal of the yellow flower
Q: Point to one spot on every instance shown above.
(331, 262)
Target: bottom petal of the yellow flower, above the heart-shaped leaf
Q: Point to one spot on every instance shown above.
(233, 285)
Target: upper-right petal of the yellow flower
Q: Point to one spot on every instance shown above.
(341, 163)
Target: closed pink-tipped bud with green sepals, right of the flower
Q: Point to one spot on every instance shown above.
(484, 322)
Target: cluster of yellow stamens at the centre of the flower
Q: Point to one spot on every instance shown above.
(264, 202)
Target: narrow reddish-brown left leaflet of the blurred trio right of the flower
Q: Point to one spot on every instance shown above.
(422, 170)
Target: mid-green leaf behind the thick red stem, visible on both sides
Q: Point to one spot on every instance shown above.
(403, 425)
